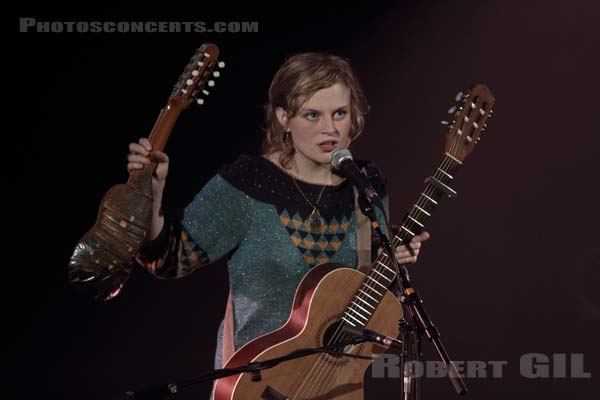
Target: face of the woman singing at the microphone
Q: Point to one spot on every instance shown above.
(321, 125)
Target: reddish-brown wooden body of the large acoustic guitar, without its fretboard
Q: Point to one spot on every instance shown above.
(320, 300)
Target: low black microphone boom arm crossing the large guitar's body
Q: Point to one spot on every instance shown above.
(254, 368)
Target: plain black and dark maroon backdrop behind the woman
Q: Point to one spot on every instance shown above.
(512, 265)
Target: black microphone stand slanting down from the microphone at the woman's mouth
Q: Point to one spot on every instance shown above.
(411, 300)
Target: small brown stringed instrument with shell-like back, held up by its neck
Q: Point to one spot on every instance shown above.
(103, 258)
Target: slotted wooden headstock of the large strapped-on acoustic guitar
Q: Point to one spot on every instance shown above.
(470, 115)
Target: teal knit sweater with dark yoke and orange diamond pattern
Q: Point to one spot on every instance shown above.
(252, 213)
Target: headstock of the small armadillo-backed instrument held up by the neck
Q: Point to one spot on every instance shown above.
(197, 76)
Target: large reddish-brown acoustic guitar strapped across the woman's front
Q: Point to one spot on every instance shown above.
(331, 296)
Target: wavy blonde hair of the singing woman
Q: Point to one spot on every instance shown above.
(301, 76)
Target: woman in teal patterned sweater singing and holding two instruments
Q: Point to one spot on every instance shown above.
(275, 215)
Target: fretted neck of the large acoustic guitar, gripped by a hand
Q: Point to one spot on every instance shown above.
(382, 274)
